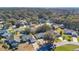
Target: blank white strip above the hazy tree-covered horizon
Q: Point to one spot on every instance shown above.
(39, 3)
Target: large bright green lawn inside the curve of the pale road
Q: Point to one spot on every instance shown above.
(66, 48)
